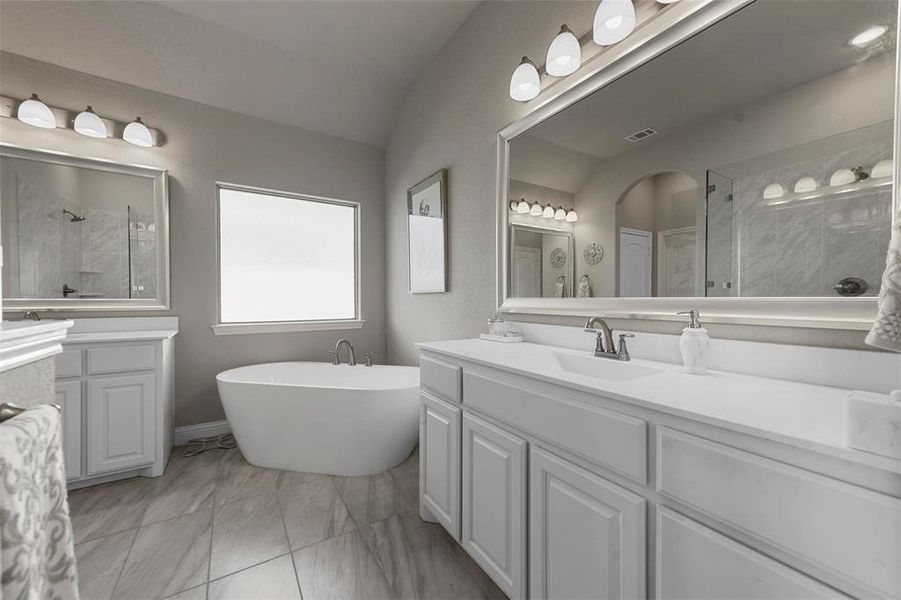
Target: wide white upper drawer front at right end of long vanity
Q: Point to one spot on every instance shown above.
(837, 528)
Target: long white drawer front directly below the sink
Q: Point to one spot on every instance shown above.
(610, 439)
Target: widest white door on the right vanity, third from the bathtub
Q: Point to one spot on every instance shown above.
(587, 535)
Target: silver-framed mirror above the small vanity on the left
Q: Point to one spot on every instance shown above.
(82, 234)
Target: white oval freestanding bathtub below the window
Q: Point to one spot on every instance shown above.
(322, 418)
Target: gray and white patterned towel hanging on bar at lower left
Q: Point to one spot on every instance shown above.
(37, 558)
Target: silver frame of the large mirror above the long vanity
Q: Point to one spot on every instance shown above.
(665, 30)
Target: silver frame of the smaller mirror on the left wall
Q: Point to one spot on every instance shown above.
(160, 180)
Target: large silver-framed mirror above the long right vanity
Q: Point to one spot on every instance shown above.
(740, 162)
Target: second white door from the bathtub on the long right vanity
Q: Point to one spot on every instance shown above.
(494, 512)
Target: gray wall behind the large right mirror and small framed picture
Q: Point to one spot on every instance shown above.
(449, 118)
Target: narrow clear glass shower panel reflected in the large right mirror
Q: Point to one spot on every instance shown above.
(720, 250)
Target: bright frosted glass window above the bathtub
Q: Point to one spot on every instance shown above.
(286, 258)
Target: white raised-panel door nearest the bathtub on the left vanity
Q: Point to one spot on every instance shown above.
(120, 422)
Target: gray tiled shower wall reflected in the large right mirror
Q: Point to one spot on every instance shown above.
(803, 248)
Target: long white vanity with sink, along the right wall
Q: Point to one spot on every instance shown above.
(568, 476)
